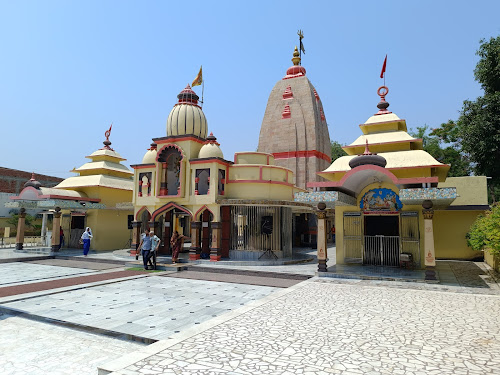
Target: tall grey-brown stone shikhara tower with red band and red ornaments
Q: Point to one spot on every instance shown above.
(294, 127)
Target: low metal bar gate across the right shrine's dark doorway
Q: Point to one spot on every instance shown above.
(381, 250)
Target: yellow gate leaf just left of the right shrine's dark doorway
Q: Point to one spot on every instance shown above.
(353, 237)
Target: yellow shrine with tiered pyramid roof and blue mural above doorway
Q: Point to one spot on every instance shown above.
(392, 201)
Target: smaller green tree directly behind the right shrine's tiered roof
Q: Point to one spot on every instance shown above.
(443, 149)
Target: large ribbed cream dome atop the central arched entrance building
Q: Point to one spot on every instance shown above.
(187, 117)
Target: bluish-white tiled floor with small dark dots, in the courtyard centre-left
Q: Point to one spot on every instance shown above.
(152, 307)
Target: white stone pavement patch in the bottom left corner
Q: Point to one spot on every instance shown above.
(29, 347)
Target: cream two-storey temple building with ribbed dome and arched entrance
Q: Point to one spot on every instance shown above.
(229, 209)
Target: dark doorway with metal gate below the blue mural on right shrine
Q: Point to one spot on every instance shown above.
(381, 240)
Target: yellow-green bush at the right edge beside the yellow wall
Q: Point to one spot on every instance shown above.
(484, 233)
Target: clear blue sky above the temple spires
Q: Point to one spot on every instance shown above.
(70, 68)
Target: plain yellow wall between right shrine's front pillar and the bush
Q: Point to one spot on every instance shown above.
(450, 228)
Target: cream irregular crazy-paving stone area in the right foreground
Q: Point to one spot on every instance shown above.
(324, 327)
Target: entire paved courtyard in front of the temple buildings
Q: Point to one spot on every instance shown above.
(244, 320)
